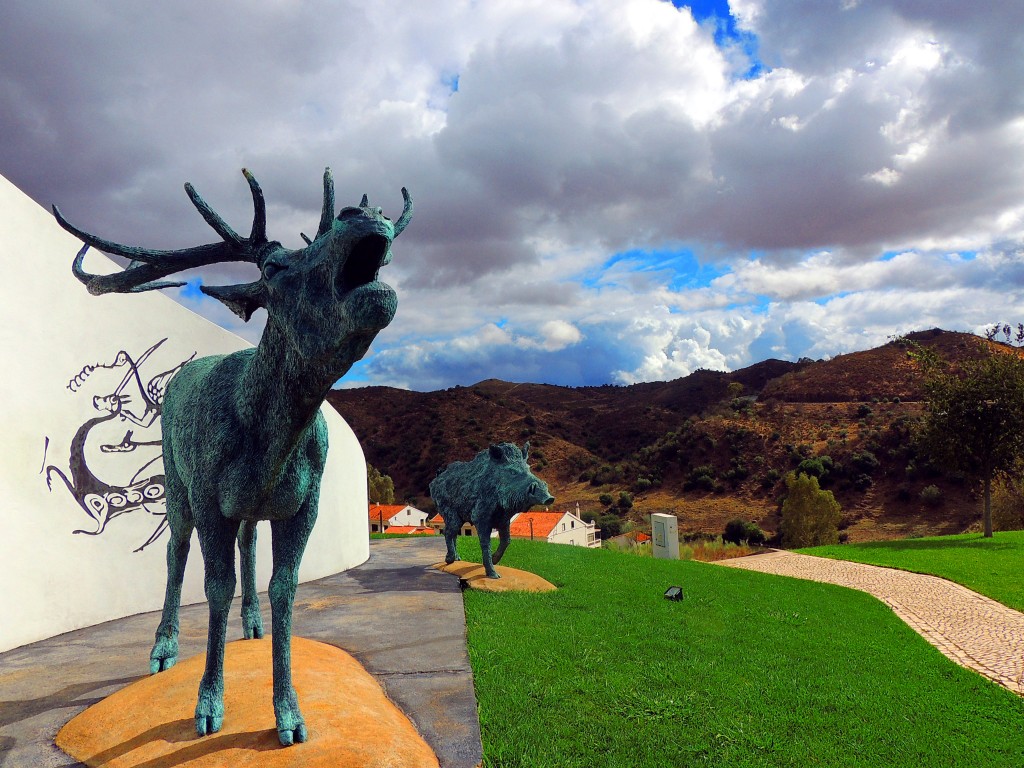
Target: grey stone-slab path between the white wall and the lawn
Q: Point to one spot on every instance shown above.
(402, 620)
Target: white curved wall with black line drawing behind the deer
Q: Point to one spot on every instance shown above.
(52, 580)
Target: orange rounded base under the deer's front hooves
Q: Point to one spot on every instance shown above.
(150, 723)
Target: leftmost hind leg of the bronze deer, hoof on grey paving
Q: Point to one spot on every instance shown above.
(180, 521)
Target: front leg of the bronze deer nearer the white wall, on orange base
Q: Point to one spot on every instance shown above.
(217, 536)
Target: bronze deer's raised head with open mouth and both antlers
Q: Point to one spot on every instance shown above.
(322, 300)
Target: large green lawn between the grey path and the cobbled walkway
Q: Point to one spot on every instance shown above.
(749, 670)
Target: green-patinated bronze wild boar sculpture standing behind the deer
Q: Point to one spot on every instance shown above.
(488, 492)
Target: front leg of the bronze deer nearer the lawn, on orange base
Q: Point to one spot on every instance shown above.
(290, 539)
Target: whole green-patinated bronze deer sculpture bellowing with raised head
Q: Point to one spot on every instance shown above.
(243, 437)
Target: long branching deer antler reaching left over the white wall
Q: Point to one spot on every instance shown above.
(149, 266)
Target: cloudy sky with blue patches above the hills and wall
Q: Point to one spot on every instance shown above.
(607, 191)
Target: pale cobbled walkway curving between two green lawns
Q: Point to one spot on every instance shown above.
(972, 630)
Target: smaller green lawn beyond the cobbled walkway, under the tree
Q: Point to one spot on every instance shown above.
(993, 567)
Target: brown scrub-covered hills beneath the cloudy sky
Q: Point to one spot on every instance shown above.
(708, 448)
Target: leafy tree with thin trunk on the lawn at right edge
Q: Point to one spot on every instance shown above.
(975, 418)
